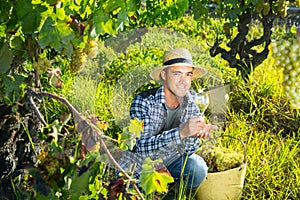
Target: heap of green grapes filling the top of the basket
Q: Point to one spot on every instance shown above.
(220, 159)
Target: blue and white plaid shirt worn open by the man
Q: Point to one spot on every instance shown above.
(150, 106)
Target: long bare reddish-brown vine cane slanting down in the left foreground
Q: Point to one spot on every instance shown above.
(80, 118)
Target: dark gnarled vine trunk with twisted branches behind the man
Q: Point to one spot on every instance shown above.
(242, 54)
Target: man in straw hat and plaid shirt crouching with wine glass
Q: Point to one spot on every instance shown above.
(172, 121)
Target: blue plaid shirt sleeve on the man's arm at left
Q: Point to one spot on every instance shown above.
(149, 142)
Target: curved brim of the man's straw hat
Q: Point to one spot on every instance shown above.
(197, 72)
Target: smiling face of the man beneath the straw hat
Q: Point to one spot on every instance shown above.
(177, 80)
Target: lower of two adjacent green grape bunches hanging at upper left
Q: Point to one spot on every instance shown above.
(78, 60)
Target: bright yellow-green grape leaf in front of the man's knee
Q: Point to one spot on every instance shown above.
(152, 180)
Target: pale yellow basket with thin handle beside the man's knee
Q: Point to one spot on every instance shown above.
(225, 185)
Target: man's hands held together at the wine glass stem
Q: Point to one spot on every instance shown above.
(196, 127)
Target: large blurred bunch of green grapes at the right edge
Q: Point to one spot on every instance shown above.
(287, 56)
